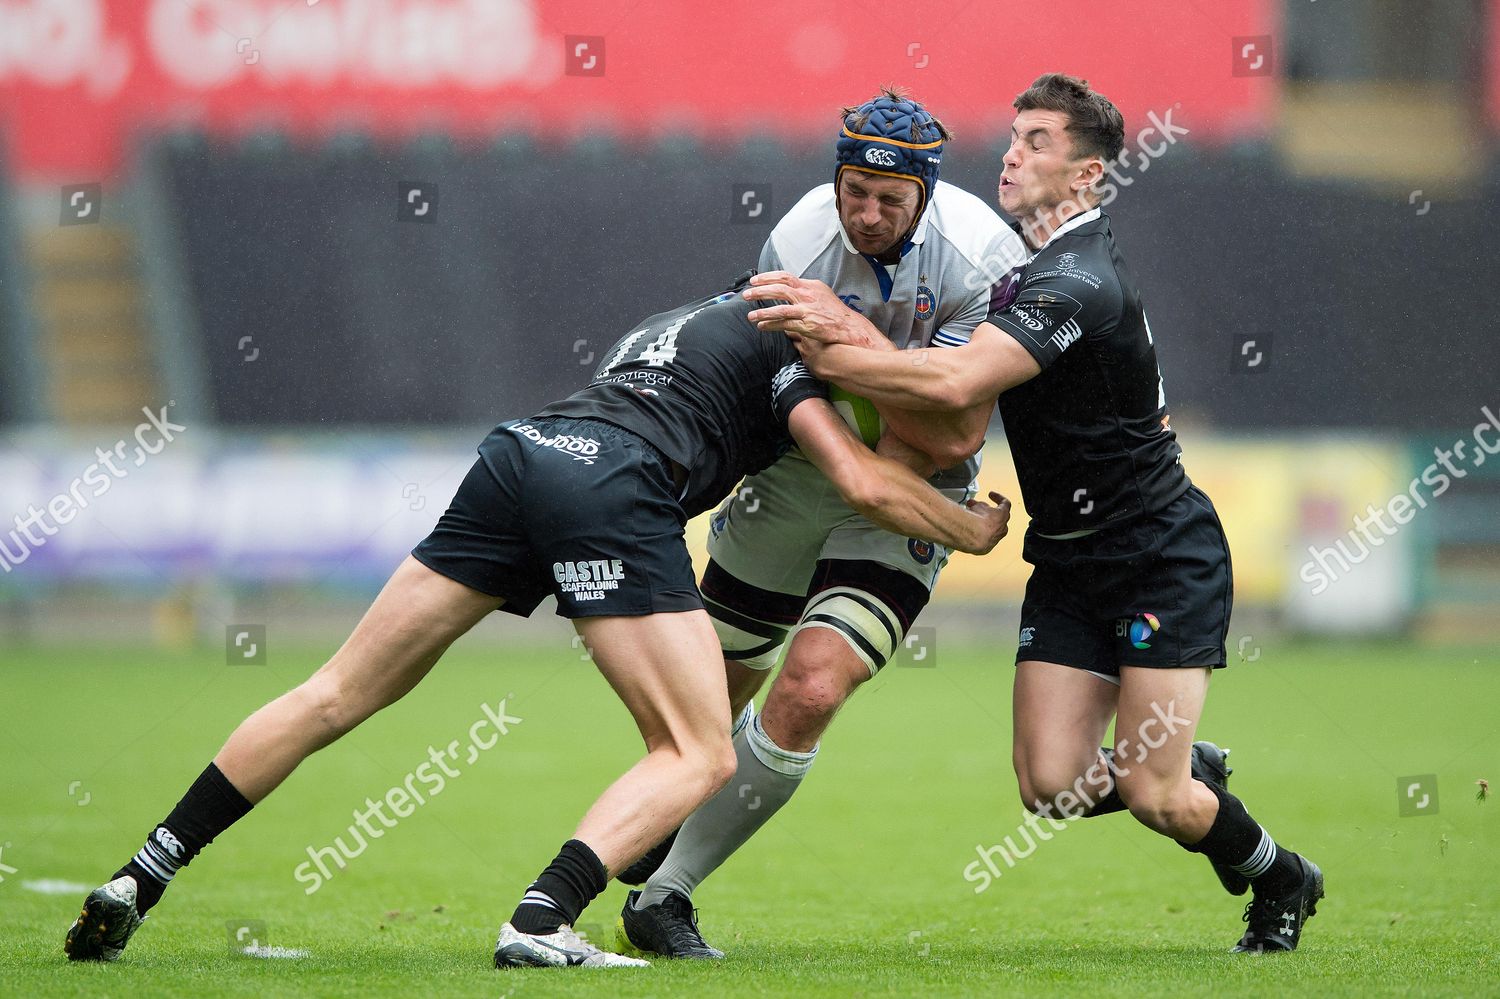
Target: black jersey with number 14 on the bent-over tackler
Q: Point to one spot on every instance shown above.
(704, 386)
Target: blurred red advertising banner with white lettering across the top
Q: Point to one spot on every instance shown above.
(80, 77)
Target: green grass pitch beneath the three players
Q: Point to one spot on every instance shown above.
(856, 889)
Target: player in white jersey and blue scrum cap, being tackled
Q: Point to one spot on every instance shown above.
(916, 257)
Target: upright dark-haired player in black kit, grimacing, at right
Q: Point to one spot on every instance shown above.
(1129, 604)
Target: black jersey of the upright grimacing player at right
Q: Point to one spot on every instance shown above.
(1090, 434)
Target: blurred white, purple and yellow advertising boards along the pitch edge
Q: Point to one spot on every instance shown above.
(337, 512)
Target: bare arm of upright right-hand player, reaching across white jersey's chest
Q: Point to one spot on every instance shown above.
(931, 379)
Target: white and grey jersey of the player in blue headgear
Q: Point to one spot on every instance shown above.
(935, 298)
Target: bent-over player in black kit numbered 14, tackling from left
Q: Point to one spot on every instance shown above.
(586, 500)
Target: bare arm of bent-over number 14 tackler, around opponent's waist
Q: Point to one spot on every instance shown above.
(890, 494)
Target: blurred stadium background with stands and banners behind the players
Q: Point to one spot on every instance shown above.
(340, 241)
